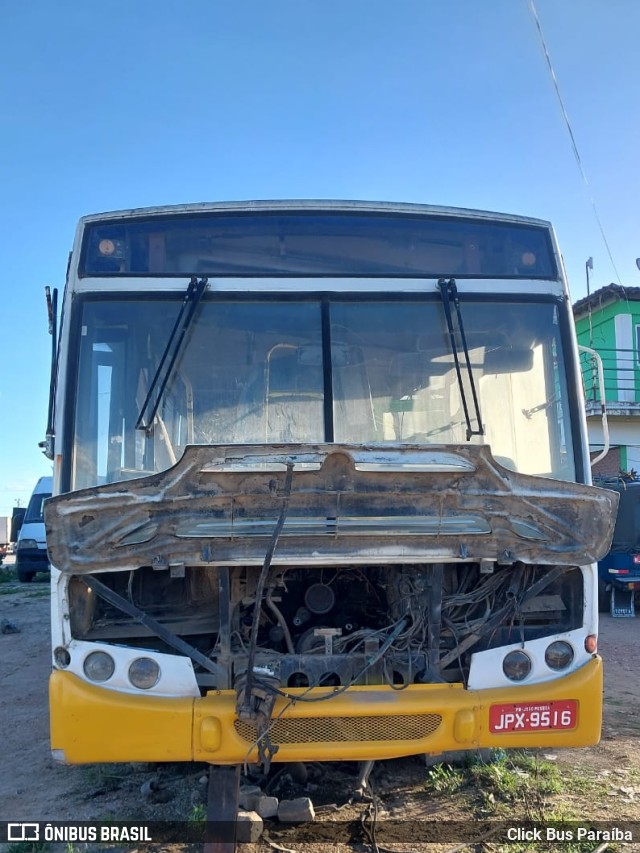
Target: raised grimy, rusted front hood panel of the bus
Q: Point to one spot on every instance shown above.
(349, 503)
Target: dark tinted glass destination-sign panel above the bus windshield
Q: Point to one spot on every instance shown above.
(317, 244)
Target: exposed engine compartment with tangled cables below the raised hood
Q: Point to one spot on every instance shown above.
(336, 626)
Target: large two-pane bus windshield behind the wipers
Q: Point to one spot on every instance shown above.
(273, 370)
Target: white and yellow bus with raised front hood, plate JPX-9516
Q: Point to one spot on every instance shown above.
(322, 488)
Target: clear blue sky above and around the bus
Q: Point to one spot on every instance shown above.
(449, 102)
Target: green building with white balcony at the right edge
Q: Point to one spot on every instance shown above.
(608, 321)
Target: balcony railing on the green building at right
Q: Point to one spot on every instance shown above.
(621, 380)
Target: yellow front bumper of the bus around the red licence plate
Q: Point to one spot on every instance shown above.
(92, 724)
